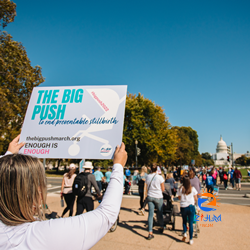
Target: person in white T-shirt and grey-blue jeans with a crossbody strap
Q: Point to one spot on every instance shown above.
(155, 187)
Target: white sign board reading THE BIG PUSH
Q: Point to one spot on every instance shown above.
(74, 122)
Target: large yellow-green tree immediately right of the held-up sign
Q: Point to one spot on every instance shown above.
(147, 123)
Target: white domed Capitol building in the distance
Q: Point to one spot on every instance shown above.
(220, 157)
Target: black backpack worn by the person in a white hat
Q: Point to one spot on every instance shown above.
(80, 185)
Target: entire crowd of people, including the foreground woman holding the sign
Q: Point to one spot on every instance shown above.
(21, 207)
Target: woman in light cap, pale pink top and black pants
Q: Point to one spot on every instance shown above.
(66, 189)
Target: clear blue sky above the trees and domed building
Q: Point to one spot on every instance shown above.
(190, 57)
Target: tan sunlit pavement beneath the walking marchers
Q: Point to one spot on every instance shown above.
(231, 233)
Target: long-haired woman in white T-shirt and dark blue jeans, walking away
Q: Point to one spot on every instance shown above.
(188, 196)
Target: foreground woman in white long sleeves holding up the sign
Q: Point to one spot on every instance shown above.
(23, 194)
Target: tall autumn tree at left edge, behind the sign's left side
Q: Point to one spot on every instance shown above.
(17, 79)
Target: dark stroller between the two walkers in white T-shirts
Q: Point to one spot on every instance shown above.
(169, 210)
